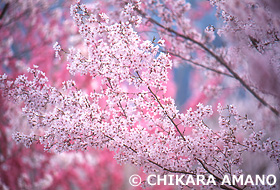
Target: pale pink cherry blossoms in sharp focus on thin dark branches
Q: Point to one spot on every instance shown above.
(130, 113)
